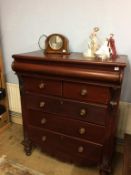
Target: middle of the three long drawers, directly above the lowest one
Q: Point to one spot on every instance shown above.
(76, 128)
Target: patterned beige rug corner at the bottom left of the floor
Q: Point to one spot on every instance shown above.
(9, 167)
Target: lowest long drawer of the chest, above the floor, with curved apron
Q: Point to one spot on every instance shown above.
(65, 147)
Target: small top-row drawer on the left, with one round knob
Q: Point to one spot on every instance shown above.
(44, 86)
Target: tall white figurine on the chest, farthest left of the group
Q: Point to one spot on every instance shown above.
(93, 44)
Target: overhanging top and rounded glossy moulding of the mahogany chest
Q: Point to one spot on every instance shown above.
(64, 66)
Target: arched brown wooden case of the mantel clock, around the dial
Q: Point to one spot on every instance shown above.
(64, 49)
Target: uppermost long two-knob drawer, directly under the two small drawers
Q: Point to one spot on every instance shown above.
(87, 112)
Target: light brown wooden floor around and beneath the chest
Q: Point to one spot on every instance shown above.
(11, 145)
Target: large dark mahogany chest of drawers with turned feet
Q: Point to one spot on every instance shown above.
(70, 105)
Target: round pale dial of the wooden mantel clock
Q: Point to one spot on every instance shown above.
(56, 42)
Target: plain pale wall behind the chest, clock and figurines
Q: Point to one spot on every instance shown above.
(23, 22)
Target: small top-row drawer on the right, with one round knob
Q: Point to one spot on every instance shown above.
(86, 92)
